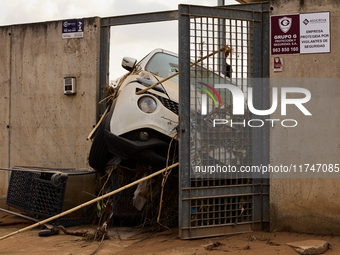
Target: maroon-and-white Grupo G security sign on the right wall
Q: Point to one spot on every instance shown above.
(300, 33)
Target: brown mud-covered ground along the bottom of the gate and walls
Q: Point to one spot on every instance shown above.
(129, 240)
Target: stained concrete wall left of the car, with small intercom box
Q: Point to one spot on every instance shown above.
(40, 126)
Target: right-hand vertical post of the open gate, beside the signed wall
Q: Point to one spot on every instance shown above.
(261, 95)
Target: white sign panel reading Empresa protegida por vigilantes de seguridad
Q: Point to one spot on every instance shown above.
(314, 33)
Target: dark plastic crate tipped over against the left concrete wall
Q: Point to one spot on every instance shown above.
(34, 193)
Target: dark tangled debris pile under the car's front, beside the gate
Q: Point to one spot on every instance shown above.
(141, 204)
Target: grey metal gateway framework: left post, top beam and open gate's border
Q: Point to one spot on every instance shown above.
(259, 11)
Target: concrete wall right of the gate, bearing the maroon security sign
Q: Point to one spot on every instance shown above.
(308, 205)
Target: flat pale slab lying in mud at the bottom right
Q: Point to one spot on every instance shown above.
(310, 246)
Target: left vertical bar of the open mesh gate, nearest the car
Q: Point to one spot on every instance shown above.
(184, 113)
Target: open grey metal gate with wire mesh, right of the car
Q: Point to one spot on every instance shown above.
(221, 47)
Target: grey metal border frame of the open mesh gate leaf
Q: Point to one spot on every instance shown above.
(259, 13)
